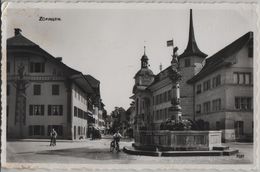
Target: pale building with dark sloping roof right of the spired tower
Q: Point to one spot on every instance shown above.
(224, 90)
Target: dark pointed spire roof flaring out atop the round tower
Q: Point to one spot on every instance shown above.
(192, 47)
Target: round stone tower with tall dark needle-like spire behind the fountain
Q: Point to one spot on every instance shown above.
(190, 63)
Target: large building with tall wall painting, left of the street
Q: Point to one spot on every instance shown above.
(44, 93)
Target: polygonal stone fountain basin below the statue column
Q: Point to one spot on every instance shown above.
(165, 140)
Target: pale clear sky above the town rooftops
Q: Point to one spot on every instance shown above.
(108, 43)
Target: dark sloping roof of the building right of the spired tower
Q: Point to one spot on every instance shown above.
(218, 60)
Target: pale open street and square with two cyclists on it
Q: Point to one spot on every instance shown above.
(97, 151)
